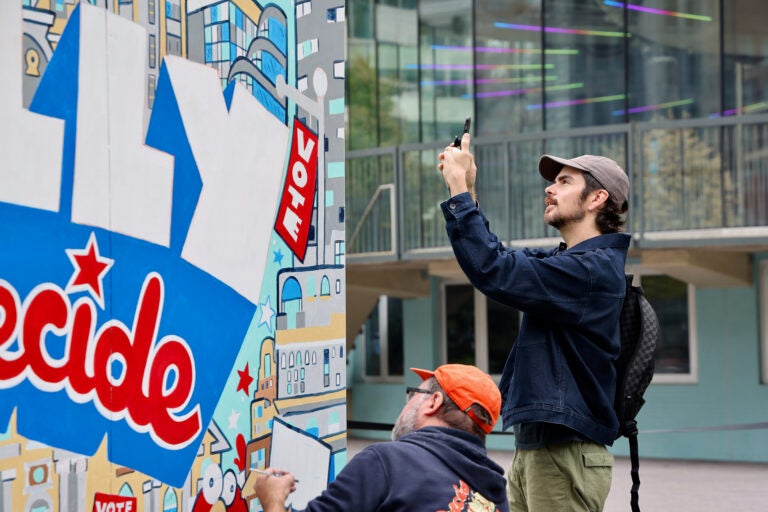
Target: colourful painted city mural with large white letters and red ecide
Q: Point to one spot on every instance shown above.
(172, 275)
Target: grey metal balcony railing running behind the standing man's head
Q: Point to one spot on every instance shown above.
(694, 182)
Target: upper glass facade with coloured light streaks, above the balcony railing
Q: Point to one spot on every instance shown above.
(417, 68)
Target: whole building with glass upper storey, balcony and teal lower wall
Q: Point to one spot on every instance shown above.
(676, 91)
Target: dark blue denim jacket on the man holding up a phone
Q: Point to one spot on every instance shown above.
(561, 369)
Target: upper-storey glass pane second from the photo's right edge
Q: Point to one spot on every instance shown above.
(674, 50)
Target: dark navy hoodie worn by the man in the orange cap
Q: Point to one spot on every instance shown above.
(431, 469)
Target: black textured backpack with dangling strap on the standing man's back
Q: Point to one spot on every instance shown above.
(640, 333)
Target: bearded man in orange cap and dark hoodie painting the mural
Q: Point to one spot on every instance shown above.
(436, 461)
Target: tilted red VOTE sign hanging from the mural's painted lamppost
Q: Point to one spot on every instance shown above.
(294, 216)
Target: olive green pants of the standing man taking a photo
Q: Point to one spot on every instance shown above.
(567, 477)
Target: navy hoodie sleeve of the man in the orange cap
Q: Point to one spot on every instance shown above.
(362, 485)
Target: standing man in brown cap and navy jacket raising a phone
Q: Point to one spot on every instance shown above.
(559, 380)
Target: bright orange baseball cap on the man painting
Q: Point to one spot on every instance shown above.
(467, 385)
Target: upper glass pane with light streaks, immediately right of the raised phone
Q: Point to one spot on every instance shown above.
(509, 72)
